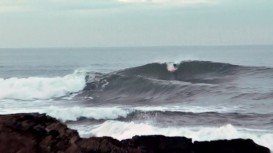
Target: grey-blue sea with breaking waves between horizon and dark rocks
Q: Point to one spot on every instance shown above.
(217, 92)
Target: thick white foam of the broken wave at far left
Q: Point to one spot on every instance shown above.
(40, 87)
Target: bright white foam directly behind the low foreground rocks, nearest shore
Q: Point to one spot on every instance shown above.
(125, 130)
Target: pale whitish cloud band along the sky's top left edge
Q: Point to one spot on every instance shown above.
(30, 5)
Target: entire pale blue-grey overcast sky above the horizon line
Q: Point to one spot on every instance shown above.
(88, 23)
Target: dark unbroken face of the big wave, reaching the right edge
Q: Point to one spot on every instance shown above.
(153, 83)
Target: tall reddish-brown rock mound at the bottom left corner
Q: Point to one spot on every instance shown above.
(32, 133)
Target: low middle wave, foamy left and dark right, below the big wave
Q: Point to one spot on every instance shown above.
(161, 116)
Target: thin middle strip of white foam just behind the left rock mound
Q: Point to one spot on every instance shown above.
(73, 113)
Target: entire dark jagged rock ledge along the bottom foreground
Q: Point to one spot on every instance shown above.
(38, 133)
